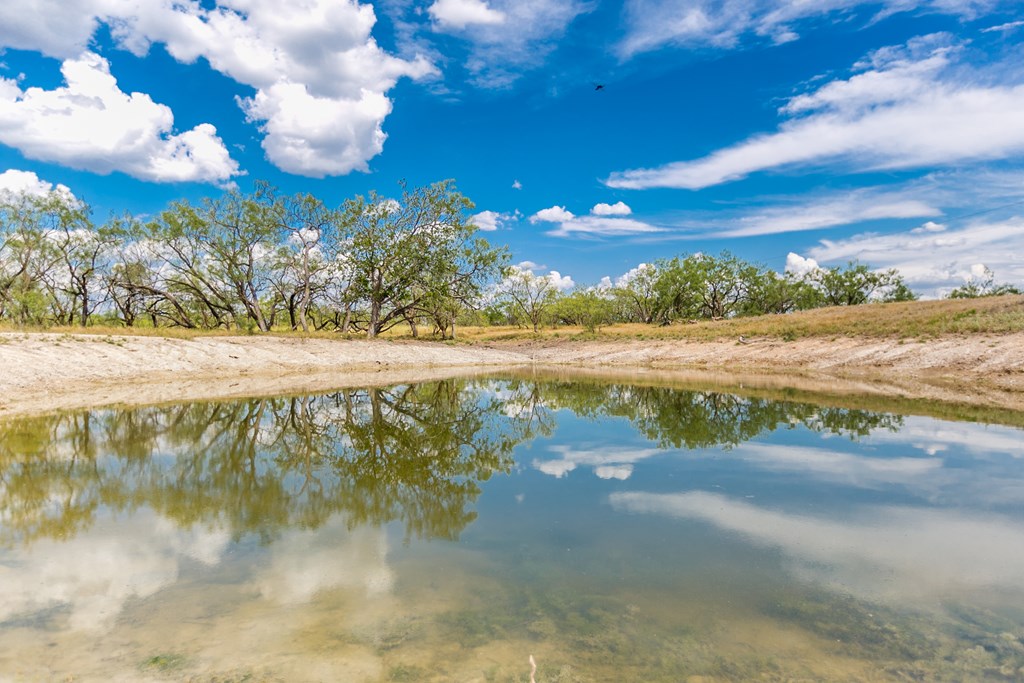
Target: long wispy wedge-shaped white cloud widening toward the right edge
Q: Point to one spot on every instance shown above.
(909, 109)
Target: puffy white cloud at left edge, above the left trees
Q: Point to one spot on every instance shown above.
(91, 124)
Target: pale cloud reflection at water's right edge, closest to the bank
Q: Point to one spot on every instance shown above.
(933, 437)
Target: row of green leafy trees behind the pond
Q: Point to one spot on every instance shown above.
(265, 261)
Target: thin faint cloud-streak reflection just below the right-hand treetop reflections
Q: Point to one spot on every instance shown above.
(840, 467)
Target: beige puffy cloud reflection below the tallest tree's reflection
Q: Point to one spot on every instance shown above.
(309, 562)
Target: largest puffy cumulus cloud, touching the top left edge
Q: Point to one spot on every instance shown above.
(320, 77)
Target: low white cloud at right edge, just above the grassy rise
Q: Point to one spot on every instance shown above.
(934, 263)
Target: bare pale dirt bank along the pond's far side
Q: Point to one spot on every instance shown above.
(48, 372)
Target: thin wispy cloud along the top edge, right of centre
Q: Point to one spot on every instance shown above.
(726, 24)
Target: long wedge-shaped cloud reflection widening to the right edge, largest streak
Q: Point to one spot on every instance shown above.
(895, 552)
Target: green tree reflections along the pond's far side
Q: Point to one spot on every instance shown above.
(413, 454)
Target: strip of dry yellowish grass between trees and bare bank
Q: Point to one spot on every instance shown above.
(911, 320)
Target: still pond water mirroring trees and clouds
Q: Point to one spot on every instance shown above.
(447, 532)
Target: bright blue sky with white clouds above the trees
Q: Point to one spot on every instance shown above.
(592, 137)
